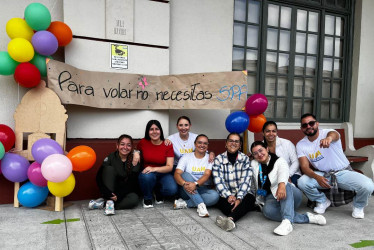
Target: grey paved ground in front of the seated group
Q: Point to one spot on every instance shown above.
(162, 227)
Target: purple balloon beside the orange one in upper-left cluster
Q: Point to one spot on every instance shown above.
(44, 42)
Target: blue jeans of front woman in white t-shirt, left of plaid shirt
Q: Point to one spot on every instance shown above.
(203, 195)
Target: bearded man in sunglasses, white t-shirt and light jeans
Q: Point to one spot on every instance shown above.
(322, 148)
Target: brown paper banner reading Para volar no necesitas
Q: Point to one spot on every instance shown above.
(223, 90)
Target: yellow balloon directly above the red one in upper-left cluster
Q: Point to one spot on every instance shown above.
(20, 50)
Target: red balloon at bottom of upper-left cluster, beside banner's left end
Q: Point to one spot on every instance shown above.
(27, 75)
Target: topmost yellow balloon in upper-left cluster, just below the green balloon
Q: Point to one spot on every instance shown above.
(17, 27)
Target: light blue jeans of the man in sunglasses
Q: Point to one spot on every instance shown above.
(347, 180)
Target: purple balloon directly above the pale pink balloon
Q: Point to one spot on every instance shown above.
(45, 147)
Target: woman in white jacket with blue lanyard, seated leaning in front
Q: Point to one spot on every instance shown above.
(278, 197)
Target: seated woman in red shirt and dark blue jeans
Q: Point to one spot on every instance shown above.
(158, 163)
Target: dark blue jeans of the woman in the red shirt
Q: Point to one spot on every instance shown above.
(163, 183)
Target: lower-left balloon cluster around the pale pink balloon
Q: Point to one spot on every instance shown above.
(51, 171)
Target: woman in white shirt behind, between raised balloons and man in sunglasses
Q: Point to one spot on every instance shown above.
(282, 148)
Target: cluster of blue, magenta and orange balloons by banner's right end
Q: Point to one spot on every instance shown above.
(252, 119)
